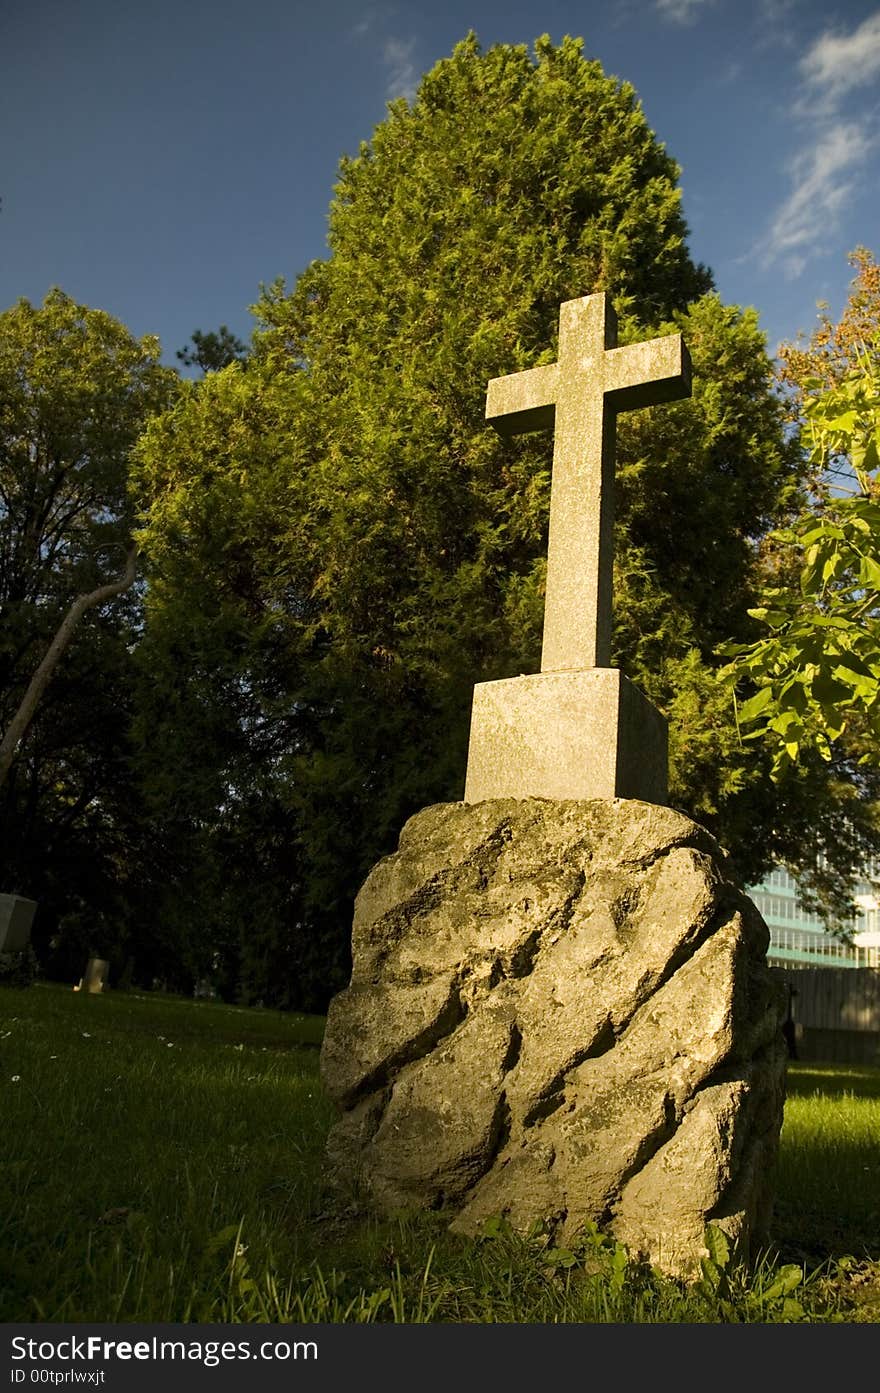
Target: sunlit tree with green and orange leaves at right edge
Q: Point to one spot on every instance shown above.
(808, 675)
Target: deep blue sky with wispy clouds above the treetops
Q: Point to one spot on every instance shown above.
(159, 161)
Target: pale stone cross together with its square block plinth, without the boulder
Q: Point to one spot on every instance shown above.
(579, 729)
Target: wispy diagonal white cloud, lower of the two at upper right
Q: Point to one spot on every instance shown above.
(825, 179)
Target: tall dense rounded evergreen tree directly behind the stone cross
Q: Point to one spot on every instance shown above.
(345, 501)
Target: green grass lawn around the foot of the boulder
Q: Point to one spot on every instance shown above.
(164, 1161)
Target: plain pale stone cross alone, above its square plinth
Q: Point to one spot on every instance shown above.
(580, 396)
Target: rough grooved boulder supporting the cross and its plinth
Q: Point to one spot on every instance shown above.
(562, 1012)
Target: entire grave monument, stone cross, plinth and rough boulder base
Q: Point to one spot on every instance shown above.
(560, 1006)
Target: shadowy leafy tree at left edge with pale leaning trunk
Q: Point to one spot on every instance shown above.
(76, 391)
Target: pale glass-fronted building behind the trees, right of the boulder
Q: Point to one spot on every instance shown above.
(800, 940)
